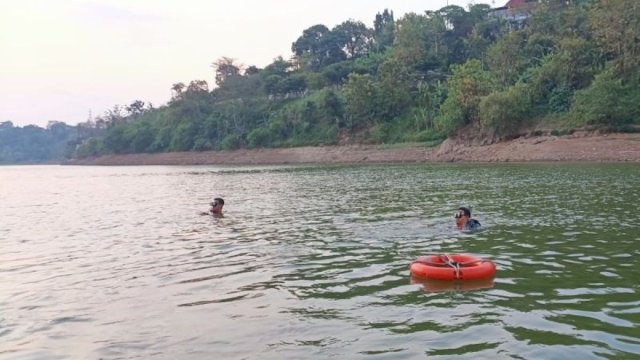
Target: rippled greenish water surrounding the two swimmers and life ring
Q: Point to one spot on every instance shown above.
(312, 262)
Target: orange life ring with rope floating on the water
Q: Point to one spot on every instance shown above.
(453, 267)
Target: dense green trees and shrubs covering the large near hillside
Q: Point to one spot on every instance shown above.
(558, 65)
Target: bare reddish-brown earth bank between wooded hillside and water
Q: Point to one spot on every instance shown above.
(580, 147)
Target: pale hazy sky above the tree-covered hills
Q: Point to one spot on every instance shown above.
(69, 60)
